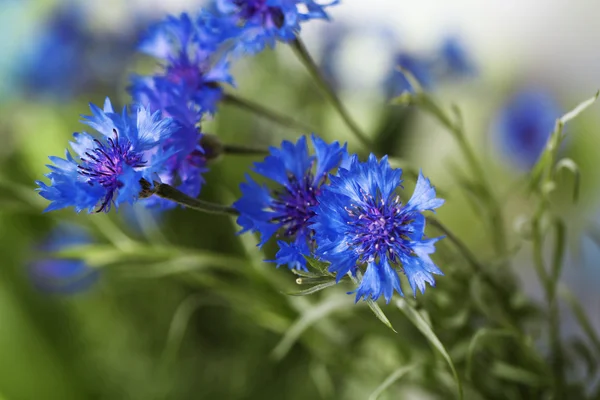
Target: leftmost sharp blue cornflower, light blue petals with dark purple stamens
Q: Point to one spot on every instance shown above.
(108, 170)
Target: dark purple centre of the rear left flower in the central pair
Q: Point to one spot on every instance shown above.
(293, 204)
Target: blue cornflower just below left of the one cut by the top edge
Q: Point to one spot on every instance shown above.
(188, 50)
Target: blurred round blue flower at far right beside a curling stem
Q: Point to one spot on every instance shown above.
(524, 124)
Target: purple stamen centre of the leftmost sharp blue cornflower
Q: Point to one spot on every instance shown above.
(104, 164)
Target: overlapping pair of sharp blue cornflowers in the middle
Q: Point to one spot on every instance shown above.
(343, 211)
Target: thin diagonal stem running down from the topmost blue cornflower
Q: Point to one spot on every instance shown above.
(304, 56)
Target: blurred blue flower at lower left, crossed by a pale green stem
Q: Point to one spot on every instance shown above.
(58, 275)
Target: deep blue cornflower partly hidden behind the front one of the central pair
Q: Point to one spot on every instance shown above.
(286, 210)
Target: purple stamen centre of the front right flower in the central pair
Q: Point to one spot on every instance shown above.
(378, 228)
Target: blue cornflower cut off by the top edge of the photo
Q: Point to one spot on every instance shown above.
(266, 21)
